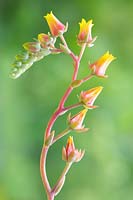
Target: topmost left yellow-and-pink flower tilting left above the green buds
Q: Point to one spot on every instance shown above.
(56, 27)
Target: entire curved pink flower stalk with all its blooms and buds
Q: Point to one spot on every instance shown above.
(44, 45)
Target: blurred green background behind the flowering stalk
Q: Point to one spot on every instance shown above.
(26, 104)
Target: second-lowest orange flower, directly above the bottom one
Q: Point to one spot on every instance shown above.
(76, 121)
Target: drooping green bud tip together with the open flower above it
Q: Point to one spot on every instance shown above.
(41, 47)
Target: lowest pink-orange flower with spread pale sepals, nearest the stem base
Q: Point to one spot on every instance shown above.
(70, 154)
